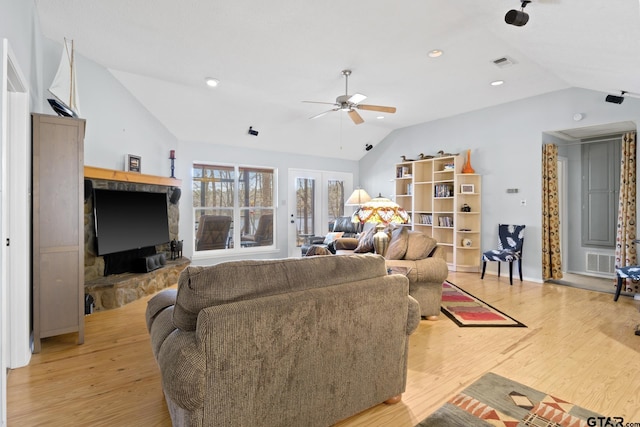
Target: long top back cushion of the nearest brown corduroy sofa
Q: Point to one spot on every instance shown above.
(200, 287)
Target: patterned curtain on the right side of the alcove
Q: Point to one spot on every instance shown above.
(626, 234)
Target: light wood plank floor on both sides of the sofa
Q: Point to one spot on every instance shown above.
(579, 346)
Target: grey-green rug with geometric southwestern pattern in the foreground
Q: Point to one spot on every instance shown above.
(497, 401)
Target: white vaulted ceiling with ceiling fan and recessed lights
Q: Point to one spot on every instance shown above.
(269, 56)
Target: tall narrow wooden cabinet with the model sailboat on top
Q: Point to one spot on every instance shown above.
(58, 227)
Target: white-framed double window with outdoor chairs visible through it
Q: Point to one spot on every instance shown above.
(233, 204)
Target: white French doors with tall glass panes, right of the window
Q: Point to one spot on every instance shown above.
(316, 199)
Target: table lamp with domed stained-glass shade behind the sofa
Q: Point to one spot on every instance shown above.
(381, 211)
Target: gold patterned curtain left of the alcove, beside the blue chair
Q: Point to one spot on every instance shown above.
(551, 259)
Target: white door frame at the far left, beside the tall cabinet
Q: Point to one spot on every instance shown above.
(15, 170)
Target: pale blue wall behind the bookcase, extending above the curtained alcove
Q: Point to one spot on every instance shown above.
(505, 143)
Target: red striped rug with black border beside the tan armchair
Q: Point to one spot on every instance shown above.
(466, 310)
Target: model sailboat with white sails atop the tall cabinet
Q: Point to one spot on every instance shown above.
(63, 87)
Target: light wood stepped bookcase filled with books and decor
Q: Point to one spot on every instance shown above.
(445, 204)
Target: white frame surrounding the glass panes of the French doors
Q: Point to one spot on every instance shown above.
(322, 215)
